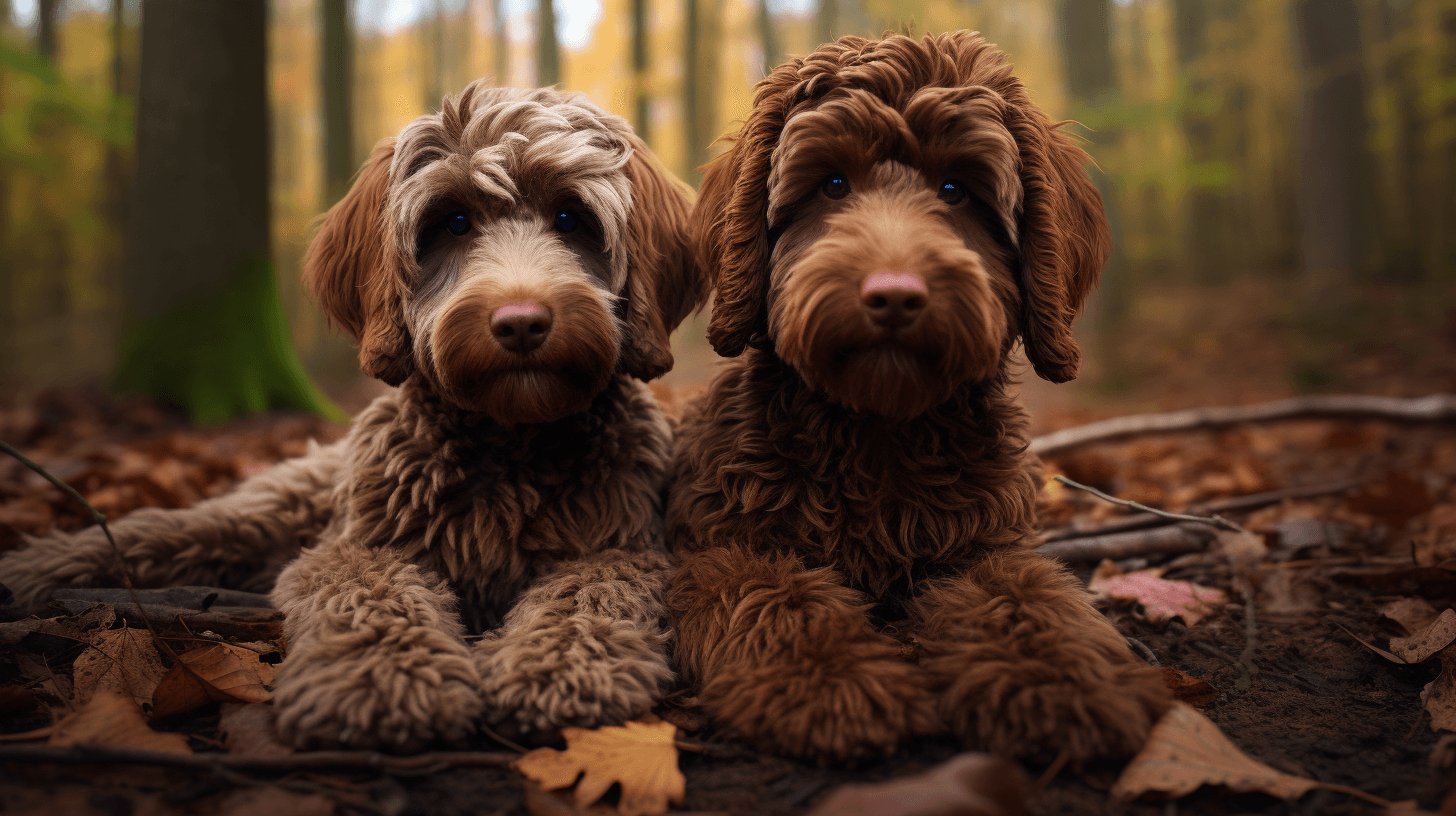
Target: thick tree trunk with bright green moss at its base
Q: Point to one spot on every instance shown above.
(205, 327)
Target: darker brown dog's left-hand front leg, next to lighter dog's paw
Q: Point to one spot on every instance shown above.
(786, 658)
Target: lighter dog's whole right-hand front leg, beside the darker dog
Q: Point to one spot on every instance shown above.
(585, 646)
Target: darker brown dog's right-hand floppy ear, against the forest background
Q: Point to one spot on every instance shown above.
(1065, 241)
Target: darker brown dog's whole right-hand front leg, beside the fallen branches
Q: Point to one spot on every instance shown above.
(1027, 667)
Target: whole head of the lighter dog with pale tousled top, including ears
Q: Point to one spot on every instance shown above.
(516, 250)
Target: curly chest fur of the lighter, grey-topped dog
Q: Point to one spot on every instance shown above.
(490, 508)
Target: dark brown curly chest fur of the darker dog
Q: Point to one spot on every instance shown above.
(767, 463)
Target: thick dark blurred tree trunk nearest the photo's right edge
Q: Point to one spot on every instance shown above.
(1333, 126)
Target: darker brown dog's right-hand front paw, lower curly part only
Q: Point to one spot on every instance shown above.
(1077, 702)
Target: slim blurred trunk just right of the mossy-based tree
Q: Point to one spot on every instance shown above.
(339, 98)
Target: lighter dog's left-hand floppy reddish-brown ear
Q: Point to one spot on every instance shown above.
(352, 275)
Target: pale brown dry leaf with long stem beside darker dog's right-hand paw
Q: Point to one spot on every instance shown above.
(1186, 751)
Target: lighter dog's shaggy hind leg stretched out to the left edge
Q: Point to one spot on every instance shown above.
(238, 540)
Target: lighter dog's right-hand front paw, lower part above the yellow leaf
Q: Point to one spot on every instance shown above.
(583, 671)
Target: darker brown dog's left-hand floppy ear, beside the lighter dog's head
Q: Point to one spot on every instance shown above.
(732, 218)
